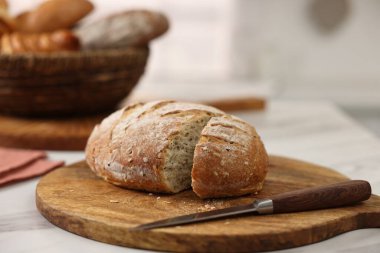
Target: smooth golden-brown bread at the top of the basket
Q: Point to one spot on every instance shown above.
(53, 15)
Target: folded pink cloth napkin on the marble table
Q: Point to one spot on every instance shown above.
(17, 165)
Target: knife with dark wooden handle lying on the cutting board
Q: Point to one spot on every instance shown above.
(320, 197)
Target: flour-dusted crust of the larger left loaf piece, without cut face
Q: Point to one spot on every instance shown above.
(129, 147)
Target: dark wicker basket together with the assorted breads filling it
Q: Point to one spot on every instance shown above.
(42, 74)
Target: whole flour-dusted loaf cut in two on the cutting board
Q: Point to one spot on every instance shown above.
(168, 146)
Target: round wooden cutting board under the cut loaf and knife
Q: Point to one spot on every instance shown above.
(74, 199)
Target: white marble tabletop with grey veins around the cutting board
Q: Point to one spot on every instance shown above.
(314, 131)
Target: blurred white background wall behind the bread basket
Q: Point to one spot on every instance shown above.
(224, 40)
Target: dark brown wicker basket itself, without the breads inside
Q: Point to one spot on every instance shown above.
(71, 83)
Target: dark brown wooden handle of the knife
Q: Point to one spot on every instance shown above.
(333, 195)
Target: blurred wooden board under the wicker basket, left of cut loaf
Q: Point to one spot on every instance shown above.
(47, 134)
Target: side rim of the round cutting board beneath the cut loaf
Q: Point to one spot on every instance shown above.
(174, 242)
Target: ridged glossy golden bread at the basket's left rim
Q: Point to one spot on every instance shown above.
(62, 40)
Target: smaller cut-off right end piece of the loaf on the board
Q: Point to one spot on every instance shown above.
(229, 159)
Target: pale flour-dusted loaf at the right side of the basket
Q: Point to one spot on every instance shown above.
(130, 28)
